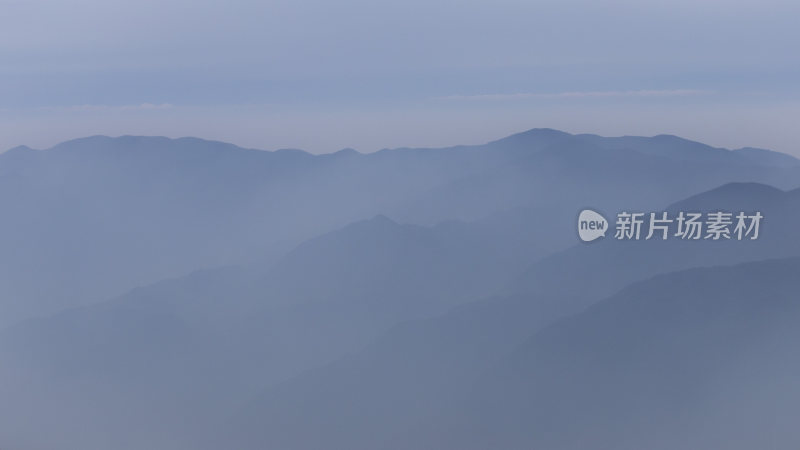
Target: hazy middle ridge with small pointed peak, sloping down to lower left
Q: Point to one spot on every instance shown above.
(186, 352)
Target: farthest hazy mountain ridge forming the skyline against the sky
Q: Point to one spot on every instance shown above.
(134, 210)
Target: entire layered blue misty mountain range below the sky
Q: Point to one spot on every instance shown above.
(184, 294)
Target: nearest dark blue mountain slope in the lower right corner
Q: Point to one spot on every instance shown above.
(705, 358)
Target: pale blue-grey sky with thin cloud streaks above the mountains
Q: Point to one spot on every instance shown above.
(321, 75)
